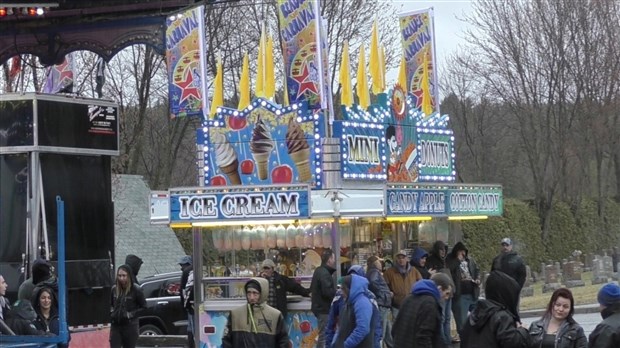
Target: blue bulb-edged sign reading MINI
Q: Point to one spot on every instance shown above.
(362, 150)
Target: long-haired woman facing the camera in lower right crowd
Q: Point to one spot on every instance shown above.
(557, 328)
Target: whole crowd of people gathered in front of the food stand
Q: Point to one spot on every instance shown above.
(406, 305)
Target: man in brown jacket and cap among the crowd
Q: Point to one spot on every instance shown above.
(400, 279)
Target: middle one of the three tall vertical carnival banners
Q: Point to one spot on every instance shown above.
(300, 30)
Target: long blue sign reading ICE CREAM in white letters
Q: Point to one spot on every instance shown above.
(276, 204)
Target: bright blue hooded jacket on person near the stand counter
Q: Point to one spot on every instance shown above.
(355, 329)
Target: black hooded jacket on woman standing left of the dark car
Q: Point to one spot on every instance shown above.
(125, 307)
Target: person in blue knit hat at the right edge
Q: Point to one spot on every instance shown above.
(607, 333)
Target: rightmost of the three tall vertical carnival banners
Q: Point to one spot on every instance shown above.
(418, 39)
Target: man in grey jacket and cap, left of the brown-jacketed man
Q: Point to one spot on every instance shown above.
(379, 287)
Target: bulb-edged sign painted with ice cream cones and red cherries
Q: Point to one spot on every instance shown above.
(264, 144)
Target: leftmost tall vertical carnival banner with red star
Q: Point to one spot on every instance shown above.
(186, 62)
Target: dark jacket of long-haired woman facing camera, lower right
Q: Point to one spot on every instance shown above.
(569, 335)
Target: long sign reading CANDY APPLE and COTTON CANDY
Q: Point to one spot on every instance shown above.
(449, 200)
